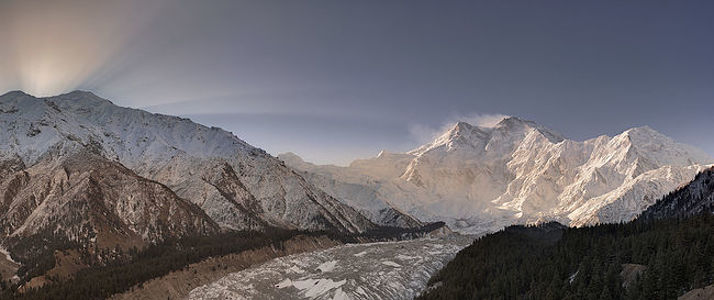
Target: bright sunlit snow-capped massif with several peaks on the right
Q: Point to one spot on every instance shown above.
(479, 179)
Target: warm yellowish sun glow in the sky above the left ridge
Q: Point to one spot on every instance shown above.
(52, 47)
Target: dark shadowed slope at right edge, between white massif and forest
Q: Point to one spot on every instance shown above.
(695, 198)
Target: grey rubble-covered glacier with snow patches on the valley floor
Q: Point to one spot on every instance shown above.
(387, 270)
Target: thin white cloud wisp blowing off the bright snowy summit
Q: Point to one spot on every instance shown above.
(425, 133)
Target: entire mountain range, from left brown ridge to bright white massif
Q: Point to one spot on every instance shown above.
(83, 180)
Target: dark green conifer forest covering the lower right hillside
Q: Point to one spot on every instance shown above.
(585, 263)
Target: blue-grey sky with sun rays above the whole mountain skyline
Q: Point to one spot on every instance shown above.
(337, 80)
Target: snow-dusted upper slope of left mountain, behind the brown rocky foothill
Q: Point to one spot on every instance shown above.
(236, 185)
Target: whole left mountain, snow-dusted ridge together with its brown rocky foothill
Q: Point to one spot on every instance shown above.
(79, 166)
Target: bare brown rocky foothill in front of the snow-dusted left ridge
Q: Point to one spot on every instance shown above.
(88, 199)
